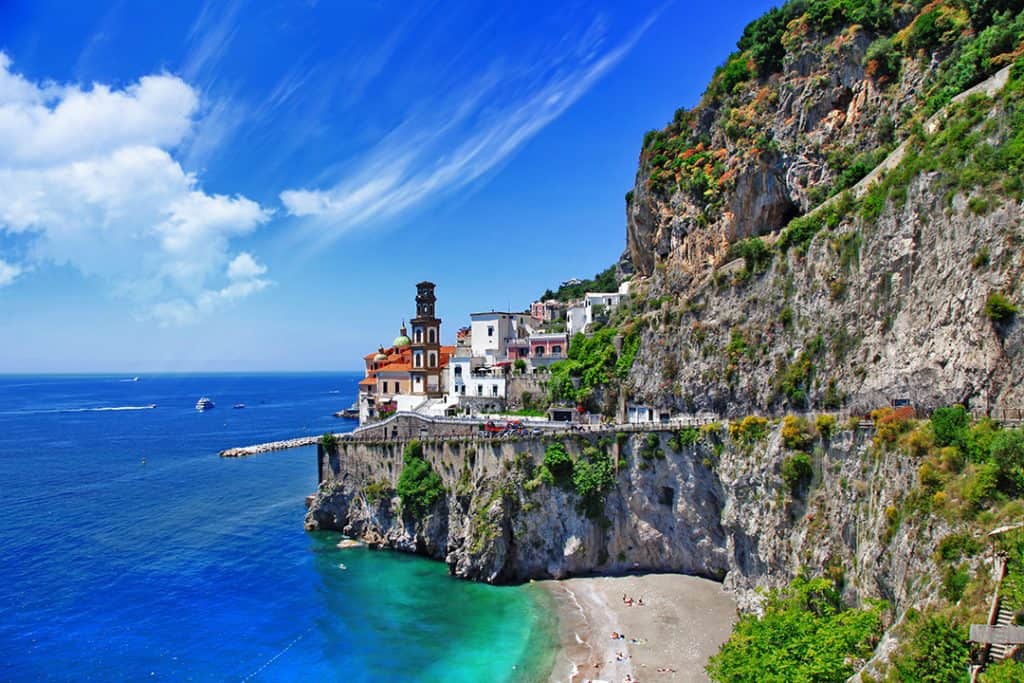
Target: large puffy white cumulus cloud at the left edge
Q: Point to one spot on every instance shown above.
(88, 179)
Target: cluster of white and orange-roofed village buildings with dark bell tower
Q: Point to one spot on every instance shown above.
(498, 359)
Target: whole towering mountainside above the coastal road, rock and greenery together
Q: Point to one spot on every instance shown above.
(767, 281)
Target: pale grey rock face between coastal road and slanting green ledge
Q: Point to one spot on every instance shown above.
(873, 313)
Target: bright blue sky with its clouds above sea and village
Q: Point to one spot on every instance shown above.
(259, 186)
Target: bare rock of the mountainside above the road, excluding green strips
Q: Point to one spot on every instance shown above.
(872, 309)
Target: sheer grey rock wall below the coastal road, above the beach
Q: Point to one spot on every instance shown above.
(719, 509)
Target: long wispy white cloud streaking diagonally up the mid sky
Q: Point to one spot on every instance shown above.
(449, 143)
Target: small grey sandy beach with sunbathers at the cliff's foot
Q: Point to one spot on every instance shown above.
(682, 622)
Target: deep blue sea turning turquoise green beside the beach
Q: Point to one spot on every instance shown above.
(131, 551)
